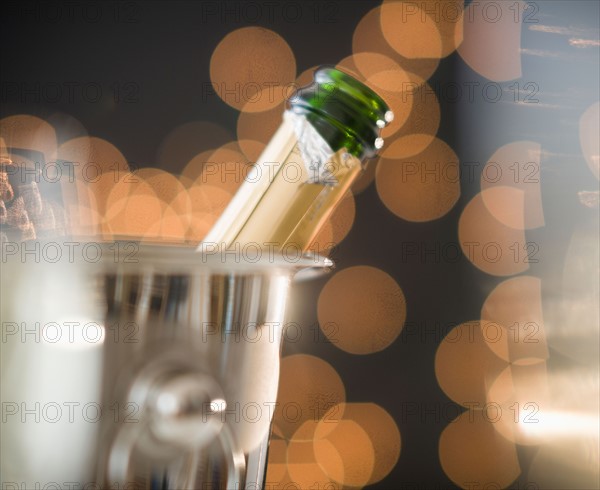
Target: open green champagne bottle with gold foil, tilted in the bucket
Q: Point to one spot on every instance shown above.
(329, 131)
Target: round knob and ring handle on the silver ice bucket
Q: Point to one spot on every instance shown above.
(181, 414)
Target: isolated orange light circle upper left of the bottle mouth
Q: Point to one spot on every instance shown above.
(251, 67)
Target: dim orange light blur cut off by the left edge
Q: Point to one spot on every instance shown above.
(29, 132)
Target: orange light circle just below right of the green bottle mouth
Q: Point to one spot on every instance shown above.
(422, 187)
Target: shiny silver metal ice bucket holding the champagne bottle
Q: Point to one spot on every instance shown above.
(190, 360)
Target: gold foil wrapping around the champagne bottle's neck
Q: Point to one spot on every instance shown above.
(282, 202)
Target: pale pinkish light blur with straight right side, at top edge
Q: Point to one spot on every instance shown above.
(492, 39)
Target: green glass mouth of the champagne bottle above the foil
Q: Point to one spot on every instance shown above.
(344, 111)
